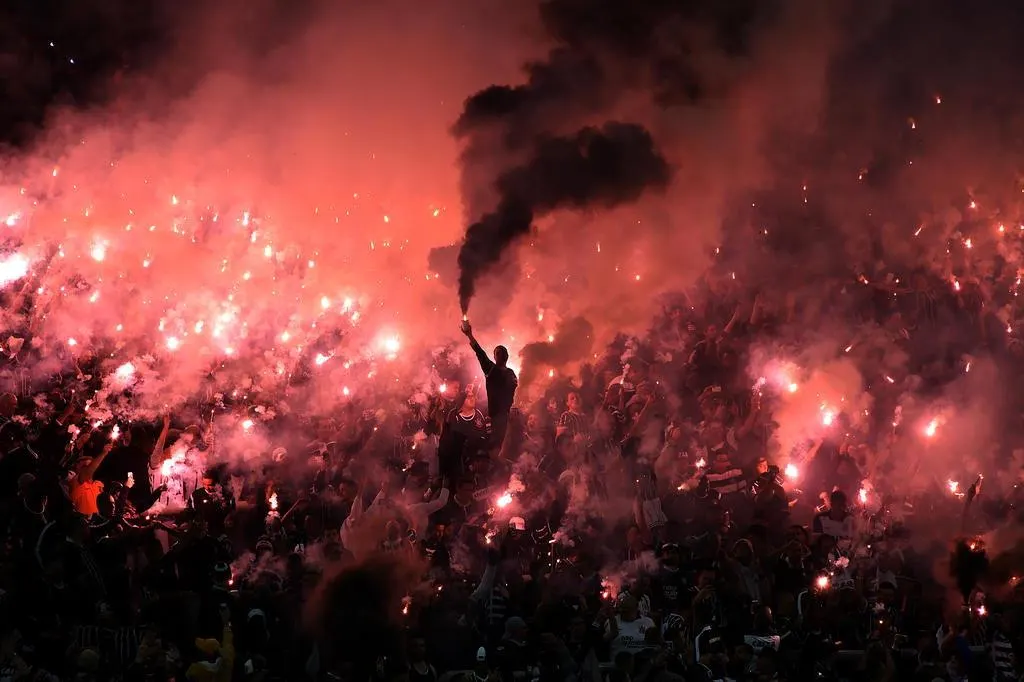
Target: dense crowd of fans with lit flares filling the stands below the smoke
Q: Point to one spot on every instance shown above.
(633, 525)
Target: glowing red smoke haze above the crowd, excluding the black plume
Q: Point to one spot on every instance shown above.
(277, 193)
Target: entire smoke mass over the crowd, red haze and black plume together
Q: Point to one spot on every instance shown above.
(263, 203)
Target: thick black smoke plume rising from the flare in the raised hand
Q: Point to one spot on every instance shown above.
(595, 168)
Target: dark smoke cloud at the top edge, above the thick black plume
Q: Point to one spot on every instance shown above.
(661, 42)
